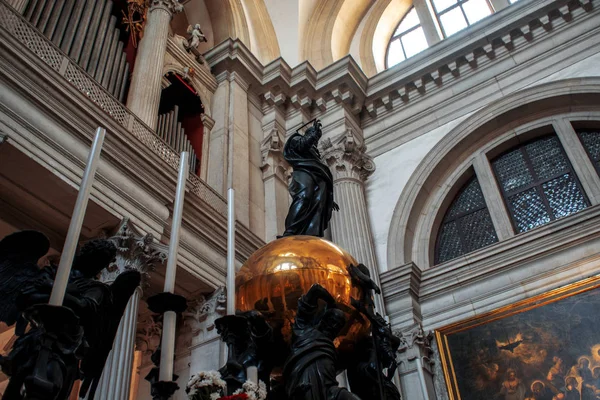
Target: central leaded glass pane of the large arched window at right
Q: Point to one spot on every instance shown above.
(538, 183)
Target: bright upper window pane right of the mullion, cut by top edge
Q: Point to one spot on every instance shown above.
(455, 15)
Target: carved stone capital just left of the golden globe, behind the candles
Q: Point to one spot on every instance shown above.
(201, 314)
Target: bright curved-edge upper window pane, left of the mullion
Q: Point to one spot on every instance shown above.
(408, 40)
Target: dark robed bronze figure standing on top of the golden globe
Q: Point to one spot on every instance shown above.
(311, 187)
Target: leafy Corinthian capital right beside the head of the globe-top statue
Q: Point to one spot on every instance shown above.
(347, 157)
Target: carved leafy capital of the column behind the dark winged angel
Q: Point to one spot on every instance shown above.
(134, 251)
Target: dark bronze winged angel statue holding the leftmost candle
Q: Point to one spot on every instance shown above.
(64, 343)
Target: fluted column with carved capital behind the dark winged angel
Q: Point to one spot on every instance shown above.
(139, 252)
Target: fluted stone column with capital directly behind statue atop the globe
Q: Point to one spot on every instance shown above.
(350, 226)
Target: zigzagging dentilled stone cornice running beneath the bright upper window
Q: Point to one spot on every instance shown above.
(470, 54)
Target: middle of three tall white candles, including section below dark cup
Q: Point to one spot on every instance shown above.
(170, 318)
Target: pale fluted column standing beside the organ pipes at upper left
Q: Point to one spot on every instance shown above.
(145, 90)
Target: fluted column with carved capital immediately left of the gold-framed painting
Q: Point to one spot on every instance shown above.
(415, 364)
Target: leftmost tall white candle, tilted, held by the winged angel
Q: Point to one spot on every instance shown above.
(70, 246)
